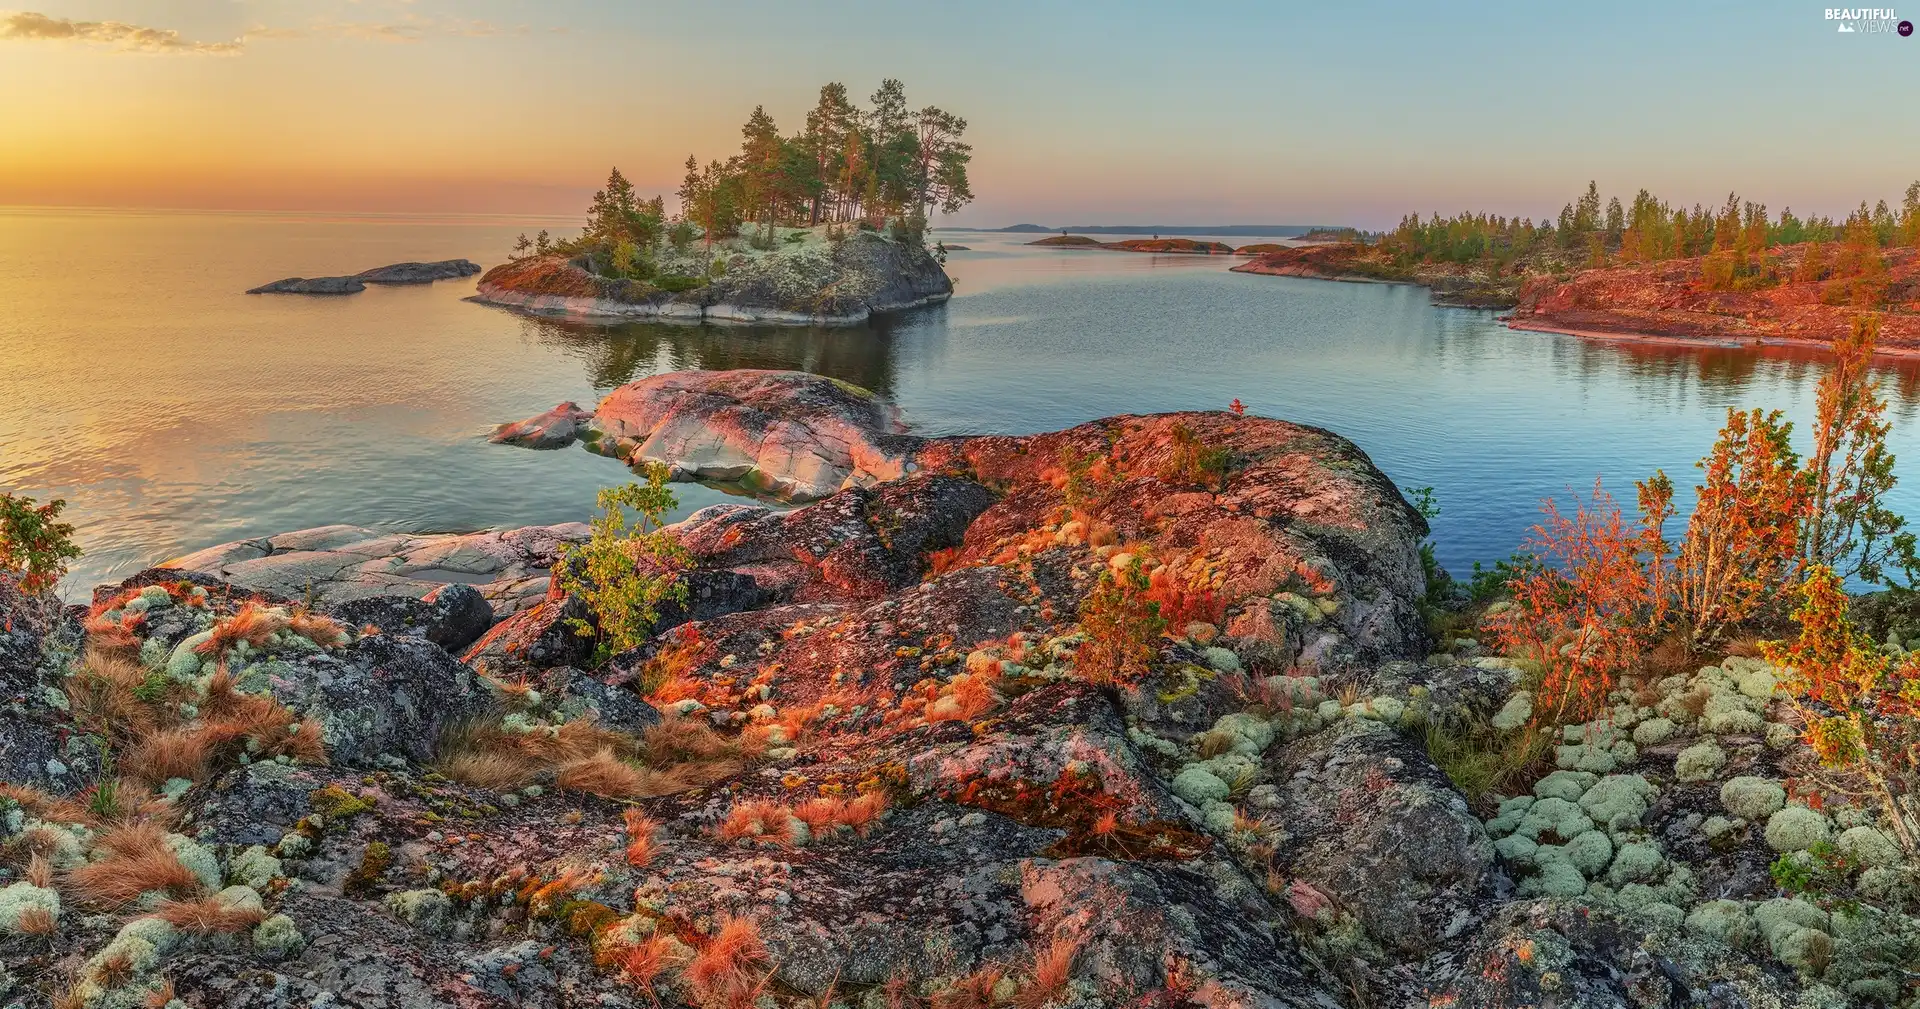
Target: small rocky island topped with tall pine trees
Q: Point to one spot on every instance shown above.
(823, 227)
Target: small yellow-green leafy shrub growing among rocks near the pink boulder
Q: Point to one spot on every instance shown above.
(627, 573)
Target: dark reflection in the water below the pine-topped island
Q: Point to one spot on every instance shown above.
(631, 350)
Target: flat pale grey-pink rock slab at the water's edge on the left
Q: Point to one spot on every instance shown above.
(333, 565)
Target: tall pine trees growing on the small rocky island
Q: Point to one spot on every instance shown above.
(848, 166)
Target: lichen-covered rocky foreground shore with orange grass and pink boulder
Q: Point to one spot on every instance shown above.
(1157, 711)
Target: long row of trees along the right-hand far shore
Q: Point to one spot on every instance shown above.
(1735, 239)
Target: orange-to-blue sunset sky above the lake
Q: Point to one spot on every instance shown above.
(1080, 112)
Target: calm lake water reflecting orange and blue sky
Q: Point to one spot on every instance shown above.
(174, 411)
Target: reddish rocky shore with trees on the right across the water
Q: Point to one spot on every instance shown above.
(1652, 271)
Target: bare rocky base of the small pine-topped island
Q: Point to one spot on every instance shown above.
(811, 285)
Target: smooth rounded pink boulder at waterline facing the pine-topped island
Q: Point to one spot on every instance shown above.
(790, 434)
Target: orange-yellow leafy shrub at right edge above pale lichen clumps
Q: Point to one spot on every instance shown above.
(1860, 707)
